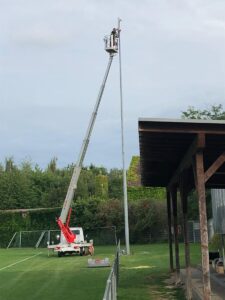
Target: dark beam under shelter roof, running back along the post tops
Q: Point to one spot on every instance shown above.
(197, 144)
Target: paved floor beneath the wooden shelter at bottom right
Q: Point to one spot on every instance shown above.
(217, 284)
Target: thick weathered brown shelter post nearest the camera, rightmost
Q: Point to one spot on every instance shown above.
(203, 224)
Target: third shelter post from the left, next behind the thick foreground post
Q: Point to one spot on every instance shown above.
(183, 194)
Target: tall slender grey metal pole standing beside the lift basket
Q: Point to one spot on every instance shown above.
(126, 221)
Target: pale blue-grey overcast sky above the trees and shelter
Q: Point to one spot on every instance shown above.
(52, 63)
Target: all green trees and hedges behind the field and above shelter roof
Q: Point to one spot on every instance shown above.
(98, 198)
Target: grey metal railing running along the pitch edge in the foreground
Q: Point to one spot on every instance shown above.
(113, 279)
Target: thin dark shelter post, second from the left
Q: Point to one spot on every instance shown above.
(175, 229)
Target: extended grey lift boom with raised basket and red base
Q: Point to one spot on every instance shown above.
(111, 46)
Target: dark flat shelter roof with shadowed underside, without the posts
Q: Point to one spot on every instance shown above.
(166, 146)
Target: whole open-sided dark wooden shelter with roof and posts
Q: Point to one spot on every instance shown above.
(183, 155)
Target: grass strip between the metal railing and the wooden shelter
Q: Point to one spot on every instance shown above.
(143, 274)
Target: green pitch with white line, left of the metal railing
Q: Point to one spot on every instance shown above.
(43, 277)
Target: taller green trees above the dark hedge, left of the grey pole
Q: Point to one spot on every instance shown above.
(25, 186)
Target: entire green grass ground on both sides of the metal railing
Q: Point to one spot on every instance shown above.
(31, 274)
